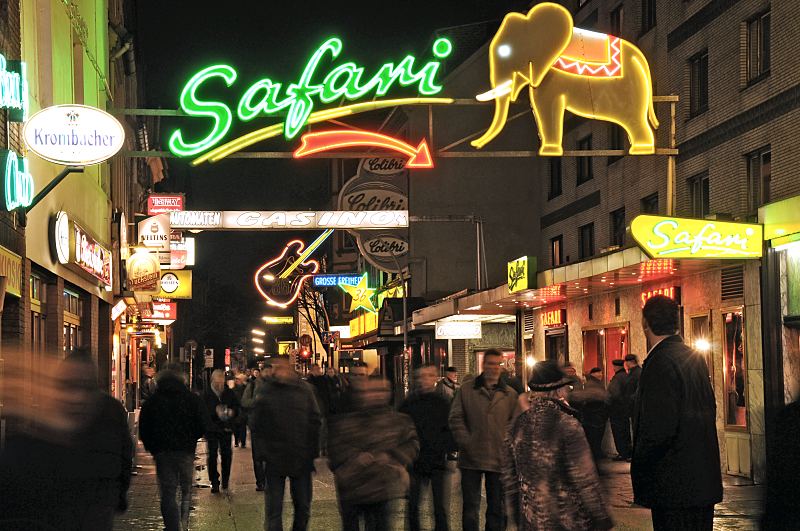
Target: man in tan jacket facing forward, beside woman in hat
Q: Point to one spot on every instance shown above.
(479, 418)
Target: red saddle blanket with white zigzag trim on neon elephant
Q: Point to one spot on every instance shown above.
(591, 54)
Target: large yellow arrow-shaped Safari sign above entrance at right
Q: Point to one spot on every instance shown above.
(696, 238)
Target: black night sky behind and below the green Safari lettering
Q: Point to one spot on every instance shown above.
(175, 39)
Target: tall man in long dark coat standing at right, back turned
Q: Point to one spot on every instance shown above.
(676, 466)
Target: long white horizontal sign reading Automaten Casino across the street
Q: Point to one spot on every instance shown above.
(286, 220)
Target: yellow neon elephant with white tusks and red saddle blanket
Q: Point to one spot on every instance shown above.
(590, 74)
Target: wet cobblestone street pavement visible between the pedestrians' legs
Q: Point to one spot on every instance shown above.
(242, 508)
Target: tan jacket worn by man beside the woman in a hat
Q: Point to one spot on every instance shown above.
(479, 419)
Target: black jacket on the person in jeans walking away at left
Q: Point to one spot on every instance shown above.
(173, 419)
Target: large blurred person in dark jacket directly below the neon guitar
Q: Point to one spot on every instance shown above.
(285, 422)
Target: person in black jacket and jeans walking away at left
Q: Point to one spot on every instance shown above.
(169, 425)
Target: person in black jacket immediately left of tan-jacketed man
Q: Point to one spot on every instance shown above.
(430, 410)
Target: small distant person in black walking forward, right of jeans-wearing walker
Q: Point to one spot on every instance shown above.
(223, 407)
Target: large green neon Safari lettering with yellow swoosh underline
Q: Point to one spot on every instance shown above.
(297, 100)
